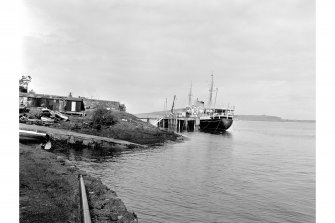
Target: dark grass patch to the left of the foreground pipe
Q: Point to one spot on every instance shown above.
(48, 195)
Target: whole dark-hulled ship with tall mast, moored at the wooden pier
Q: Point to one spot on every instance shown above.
(215, 119)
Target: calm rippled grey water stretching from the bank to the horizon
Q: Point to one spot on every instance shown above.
(258, 172)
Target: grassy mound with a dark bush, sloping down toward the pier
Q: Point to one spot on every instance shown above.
(118, 125)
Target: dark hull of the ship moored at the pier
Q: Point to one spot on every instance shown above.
(215, 125)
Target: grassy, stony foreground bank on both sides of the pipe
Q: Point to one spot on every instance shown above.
(49, 191)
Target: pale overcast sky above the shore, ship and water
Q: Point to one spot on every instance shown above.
(139, 52)
